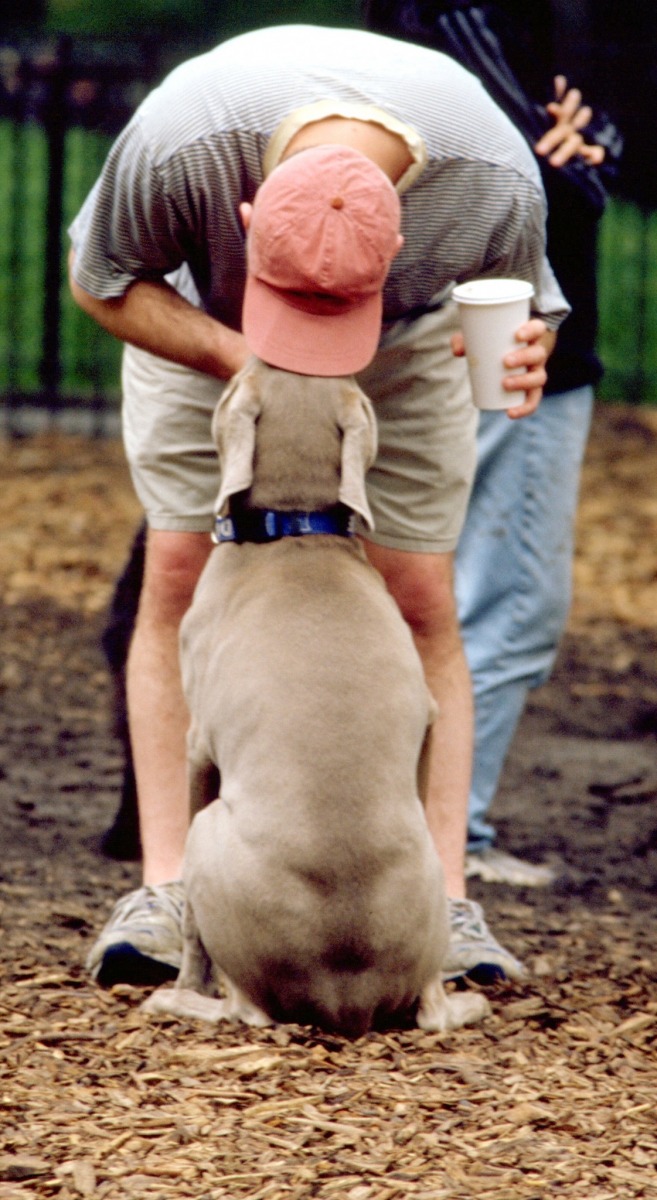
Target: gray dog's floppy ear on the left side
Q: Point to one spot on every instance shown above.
(234, 434)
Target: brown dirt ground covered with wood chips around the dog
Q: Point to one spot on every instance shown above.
(554, 1095)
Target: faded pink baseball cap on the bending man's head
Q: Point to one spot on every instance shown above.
(324, 231)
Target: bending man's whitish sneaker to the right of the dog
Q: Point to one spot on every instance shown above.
(473, 950)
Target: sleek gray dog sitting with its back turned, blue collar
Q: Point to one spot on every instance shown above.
(314, 891)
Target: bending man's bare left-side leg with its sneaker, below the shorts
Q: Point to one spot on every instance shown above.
(142, 941)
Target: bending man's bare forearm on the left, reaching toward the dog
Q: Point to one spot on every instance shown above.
(154, 317)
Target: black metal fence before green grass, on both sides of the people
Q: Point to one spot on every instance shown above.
(62, 104)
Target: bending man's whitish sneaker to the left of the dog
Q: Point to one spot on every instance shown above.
(142, 943)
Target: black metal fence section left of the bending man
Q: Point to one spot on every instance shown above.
(62, 104)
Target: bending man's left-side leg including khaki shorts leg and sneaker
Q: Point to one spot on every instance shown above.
(167, 419)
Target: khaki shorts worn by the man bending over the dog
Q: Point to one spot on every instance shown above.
(419, 485)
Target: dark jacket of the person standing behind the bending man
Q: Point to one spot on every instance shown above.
(510, 47)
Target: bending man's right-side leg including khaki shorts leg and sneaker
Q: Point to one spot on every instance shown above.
(419, 491)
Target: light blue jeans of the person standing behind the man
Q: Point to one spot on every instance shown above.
(514, 573)
